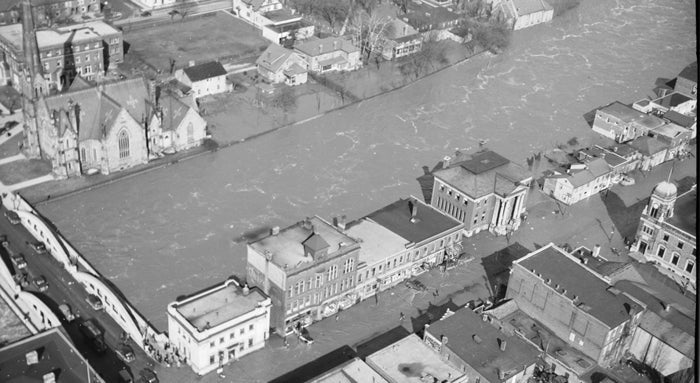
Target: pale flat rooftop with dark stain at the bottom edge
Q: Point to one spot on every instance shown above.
(409, 360)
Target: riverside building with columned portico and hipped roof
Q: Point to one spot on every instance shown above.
(484, 190)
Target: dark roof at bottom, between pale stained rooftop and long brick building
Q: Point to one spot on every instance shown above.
(486, 356)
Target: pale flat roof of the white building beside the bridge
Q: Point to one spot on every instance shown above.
(218, 305)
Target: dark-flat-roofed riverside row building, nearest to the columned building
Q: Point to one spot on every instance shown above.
(433, 237)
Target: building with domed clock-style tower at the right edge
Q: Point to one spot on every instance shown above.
(667, 233)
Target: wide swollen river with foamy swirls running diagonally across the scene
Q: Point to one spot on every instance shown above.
(174, 231)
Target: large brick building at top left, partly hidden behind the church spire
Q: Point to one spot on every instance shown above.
(87, 50)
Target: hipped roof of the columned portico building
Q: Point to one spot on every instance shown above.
(482, 174)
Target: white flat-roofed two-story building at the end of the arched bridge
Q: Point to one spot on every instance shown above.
(219, 325)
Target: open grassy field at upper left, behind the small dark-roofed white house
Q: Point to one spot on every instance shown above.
(217, 37)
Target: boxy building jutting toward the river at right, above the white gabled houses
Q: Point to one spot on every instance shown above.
(622, 123)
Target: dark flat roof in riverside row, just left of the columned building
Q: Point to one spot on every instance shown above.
(429, 221)
